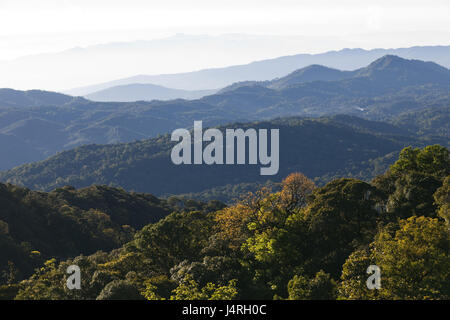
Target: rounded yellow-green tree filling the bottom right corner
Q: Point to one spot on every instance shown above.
(414, 259)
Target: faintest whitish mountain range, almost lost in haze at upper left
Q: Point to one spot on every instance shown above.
(99, 62)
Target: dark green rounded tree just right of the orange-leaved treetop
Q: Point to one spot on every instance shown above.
(340, 217)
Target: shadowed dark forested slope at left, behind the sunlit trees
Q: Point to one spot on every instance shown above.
(35, 226)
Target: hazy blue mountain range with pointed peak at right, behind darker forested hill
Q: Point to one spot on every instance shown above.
(37, 124)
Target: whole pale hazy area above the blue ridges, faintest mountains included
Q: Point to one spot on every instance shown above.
(34, 33)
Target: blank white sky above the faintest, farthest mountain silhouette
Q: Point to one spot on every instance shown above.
(36, 27)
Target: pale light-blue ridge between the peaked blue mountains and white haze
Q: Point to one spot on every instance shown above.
(345, 59)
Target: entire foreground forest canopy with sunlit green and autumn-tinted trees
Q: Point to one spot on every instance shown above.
(298, 242)
